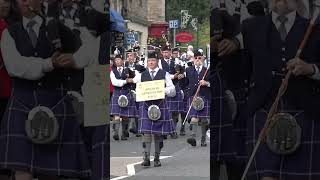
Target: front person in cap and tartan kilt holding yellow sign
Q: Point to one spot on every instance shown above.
(154, 117)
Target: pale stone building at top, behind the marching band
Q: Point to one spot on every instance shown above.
(144, 18)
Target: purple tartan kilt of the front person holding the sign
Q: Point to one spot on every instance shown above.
(163, 126)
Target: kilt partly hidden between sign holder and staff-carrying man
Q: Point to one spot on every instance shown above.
(176, 103)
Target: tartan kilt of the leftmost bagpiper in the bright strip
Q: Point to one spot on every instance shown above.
(116, 110)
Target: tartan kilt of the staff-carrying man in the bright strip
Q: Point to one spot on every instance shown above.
(204, 113)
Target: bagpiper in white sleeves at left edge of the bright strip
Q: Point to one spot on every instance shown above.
(122, 101)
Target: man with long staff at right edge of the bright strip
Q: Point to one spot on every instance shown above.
(200, 105)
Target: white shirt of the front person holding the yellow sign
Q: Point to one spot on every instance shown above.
(170, 90)
